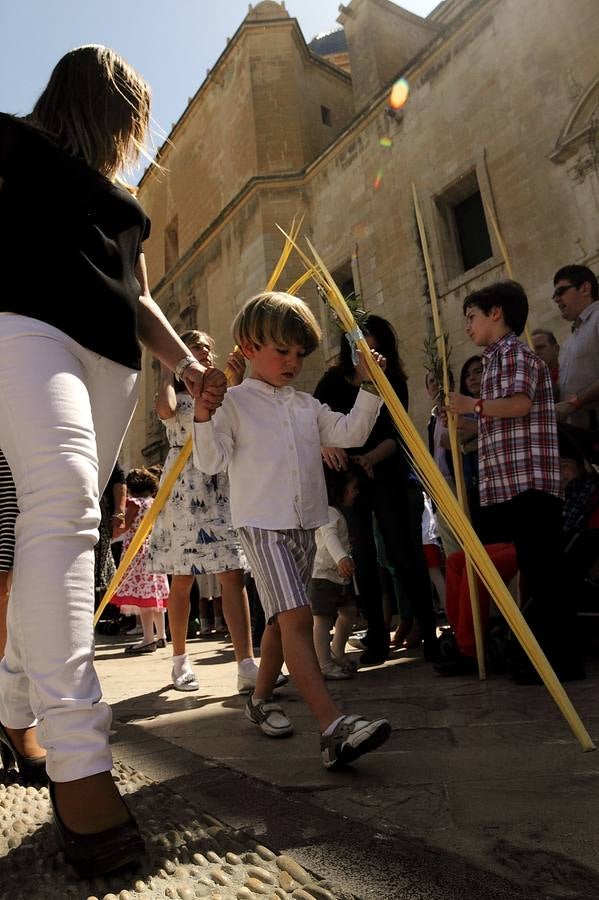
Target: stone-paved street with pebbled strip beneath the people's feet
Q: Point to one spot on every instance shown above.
(481, 792)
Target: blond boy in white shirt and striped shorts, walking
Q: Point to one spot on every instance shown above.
(269, 436)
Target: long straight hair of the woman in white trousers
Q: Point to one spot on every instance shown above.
(97, 108)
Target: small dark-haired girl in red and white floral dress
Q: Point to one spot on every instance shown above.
(141, 591)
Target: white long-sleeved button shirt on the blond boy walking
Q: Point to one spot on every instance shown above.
(269, 439)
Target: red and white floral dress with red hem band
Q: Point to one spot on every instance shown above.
(140, 588)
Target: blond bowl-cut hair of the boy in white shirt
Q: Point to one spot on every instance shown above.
(277, 318)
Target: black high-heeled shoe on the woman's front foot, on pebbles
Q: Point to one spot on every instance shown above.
(95, 854)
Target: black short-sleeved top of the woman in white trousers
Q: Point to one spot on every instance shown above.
(69, 243)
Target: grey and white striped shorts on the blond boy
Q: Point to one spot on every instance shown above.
(281, 563)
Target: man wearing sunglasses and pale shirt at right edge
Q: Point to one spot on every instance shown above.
(576, 293)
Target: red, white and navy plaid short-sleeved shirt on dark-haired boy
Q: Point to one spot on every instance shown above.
(517, 454)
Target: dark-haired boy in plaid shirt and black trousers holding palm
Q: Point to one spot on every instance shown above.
(519, 467)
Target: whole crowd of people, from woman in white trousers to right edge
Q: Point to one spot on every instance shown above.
(311, 496)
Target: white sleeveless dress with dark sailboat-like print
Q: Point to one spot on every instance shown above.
(193, 534)
